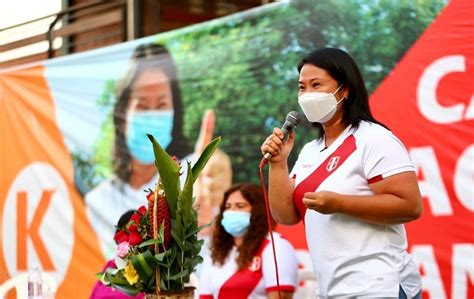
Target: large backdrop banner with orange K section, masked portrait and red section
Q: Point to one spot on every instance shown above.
(67, 167)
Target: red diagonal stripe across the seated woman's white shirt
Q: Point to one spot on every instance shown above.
(243, 282)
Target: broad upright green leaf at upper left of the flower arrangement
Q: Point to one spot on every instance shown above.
(169, 173)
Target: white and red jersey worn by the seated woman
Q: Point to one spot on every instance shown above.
(222, 282)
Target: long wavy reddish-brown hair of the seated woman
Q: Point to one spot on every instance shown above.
(222, 242)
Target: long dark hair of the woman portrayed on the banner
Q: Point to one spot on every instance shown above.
(146, 57)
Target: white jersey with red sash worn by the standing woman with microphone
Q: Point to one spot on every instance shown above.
(350, 256)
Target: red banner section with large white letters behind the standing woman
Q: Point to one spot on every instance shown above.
(428, 102)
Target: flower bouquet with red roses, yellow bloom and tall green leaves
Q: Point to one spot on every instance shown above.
(158, 248)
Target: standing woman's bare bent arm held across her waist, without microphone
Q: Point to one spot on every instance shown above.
(397, 199)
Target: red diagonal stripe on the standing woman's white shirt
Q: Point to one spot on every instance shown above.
(312, 182)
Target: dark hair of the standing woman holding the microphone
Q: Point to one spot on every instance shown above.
(342, 67)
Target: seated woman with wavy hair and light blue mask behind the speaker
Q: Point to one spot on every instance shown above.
(241, 263)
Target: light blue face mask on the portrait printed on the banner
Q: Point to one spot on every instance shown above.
(158, 123)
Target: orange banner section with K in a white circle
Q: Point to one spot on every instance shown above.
(43, 223)
